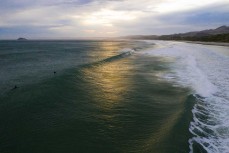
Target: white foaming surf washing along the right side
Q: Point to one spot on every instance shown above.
(205, 70)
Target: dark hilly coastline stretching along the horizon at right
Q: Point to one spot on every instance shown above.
(220, 34)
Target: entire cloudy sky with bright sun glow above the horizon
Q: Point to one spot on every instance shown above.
(94, 18)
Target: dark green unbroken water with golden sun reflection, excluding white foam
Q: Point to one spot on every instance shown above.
(104, 97)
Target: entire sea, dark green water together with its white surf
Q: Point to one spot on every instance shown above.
(113, 96)
